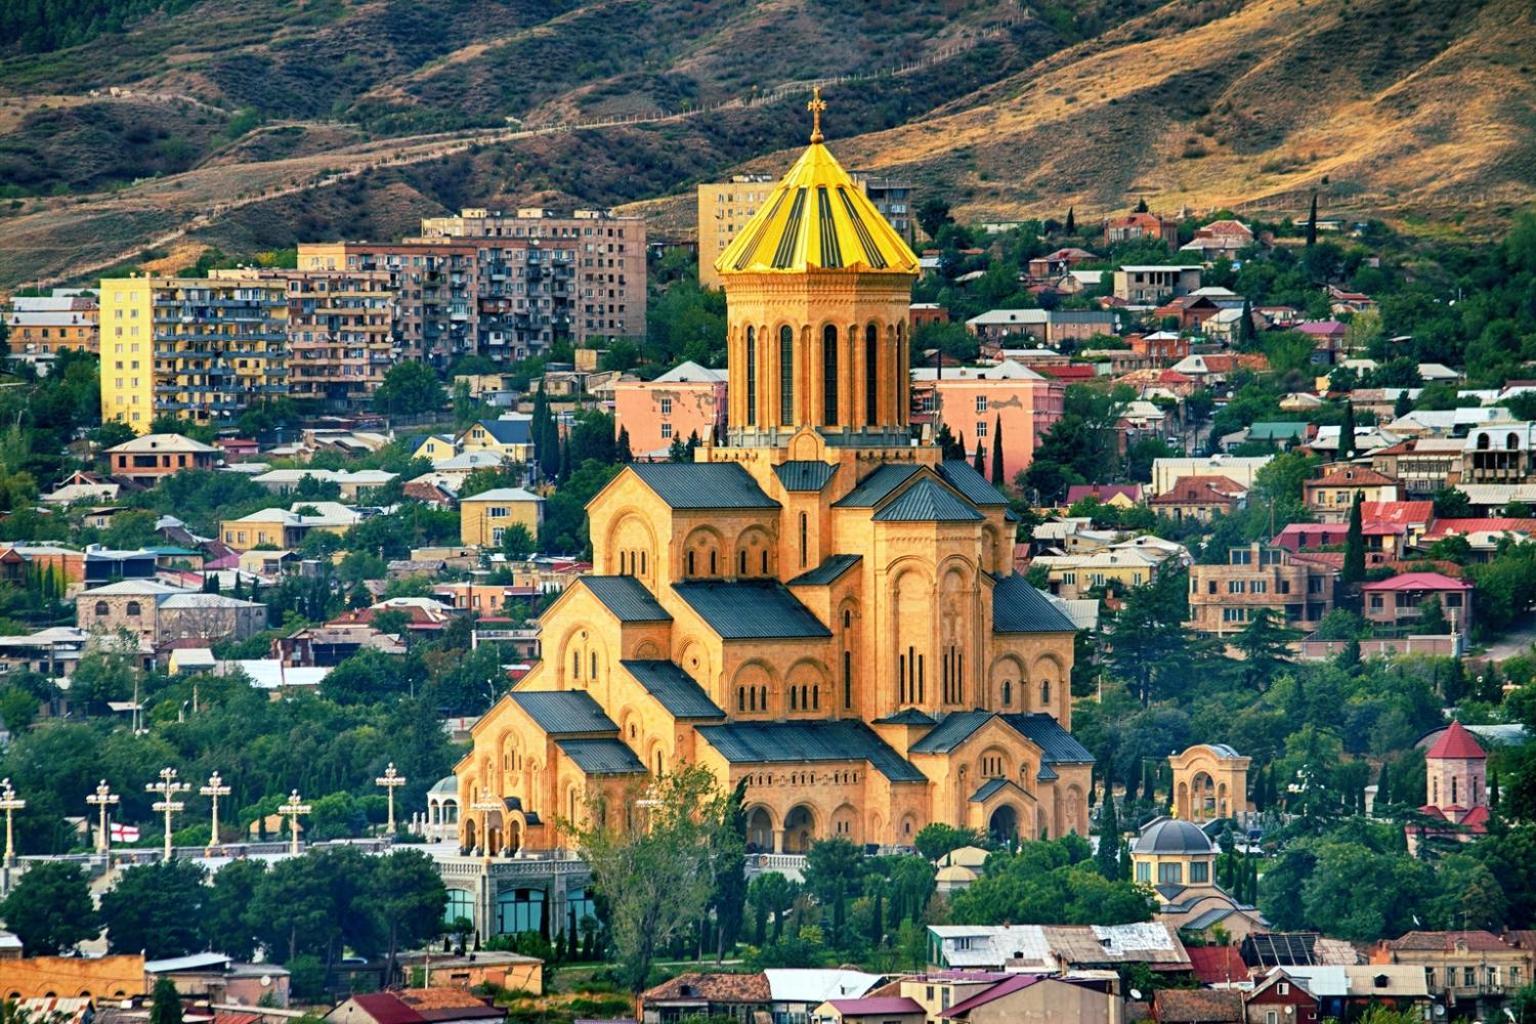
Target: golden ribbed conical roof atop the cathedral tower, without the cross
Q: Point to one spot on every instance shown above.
(818, 219)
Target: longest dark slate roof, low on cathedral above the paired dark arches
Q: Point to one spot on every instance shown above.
(787, 742)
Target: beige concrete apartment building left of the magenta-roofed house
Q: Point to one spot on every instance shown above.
(1223, 600)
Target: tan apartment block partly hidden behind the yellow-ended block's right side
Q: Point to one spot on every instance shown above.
(340, 332)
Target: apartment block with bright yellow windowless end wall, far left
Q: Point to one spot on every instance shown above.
(199, 349)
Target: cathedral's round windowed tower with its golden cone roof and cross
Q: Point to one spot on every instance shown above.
(818, 291)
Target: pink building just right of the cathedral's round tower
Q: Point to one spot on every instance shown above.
(976, 401)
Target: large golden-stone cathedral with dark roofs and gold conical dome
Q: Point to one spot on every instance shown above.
(823, 606)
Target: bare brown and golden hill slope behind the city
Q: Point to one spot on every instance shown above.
(260, 122)
